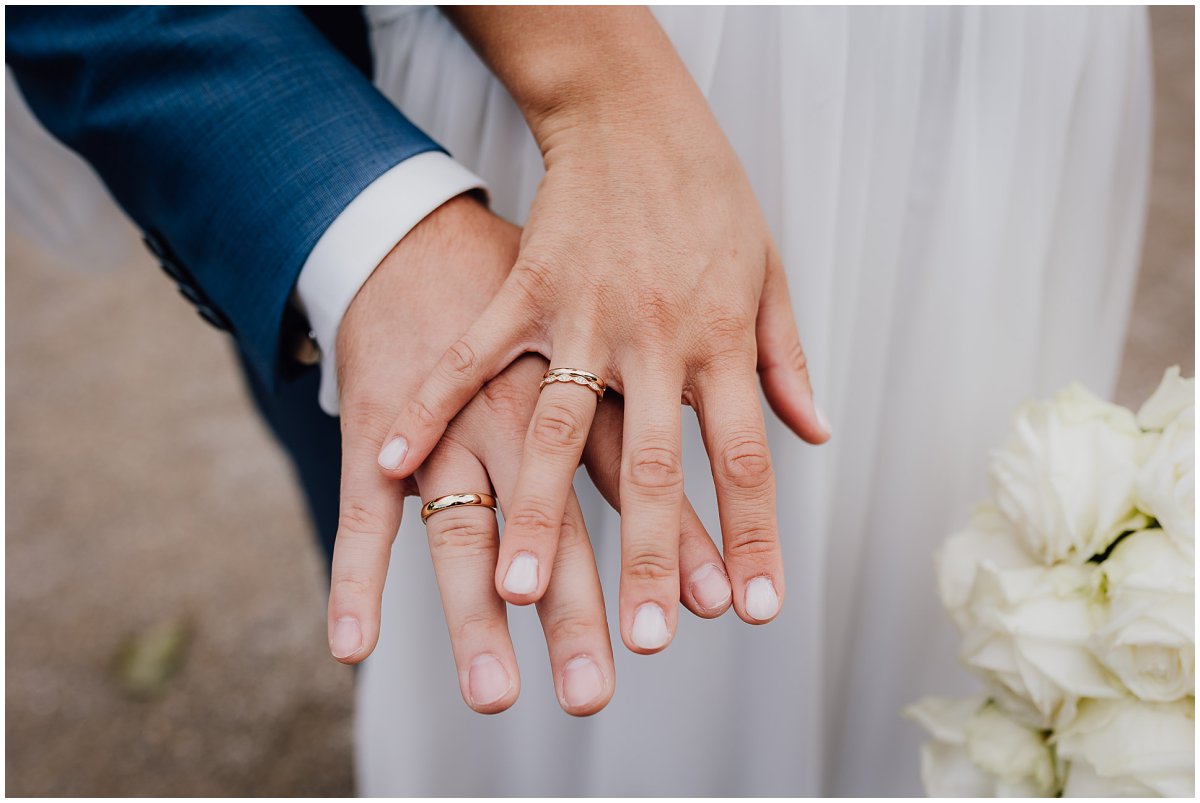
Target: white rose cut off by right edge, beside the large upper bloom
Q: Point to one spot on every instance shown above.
(1167, 483)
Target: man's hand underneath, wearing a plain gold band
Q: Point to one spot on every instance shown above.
(424, 296)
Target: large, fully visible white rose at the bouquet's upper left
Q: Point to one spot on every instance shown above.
(1066, 477)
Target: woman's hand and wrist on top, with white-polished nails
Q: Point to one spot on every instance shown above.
(646, 261)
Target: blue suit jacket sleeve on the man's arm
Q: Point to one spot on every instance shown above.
(233, 136)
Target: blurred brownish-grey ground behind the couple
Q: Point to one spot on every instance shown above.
(142, 489)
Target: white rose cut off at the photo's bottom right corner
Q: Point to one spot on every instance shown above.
(1130, 748)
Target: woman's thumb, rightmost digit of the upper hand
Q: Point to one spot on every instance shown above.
(783, 368)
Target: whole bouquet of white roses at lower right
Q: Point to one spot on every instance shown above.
(1076, 595)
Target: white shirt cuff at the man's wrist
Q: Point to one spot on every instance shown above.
(358, 241)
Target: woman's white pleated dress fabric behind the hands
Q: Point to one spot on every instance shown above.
(959, 199)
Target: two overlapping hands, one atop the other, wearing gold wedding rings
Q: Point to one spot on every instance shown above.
(646, 262)
